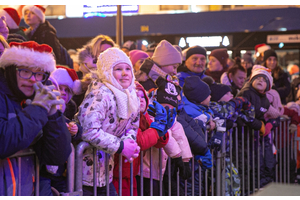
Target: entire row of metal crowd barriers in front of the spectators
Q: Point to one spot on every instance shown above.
(242, 148)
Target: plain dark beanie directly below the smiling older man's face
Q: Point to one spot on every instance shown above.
(195, 90)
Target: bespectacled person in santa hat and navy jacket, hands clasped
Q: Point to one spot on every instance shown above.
(28, 116)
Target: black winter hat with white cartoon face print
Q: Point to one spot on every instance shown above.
(167, 92)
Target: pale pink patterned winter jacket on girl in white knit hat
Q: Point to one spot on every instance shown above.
(102, 129)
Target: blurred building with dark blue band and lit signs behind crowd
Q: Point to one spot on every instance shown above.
(236, 27)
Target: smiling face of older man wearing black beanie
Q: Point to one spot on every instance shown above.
(196, 63)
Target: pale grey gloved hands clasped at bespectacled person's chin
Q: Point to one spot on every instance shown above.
(45, 97)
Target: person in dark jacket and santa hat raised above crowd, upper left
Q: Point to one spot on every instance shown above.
(40, 30)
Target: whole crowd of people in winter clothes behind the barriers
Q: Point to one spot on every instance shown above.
(124, 100)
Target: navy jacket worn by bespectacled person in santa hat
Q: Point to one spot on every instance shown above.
(23, 127)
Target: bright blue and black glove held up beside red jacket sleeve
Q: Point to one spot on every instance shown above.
(160, 116)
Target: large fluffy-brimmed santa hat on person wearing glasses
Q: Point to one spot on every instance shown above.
(29, 54)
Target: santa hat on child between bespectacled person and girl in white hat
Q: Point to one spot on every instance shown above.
(65, 76)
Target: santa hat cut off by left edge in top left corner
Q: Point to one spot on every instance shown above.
(12, 17)
